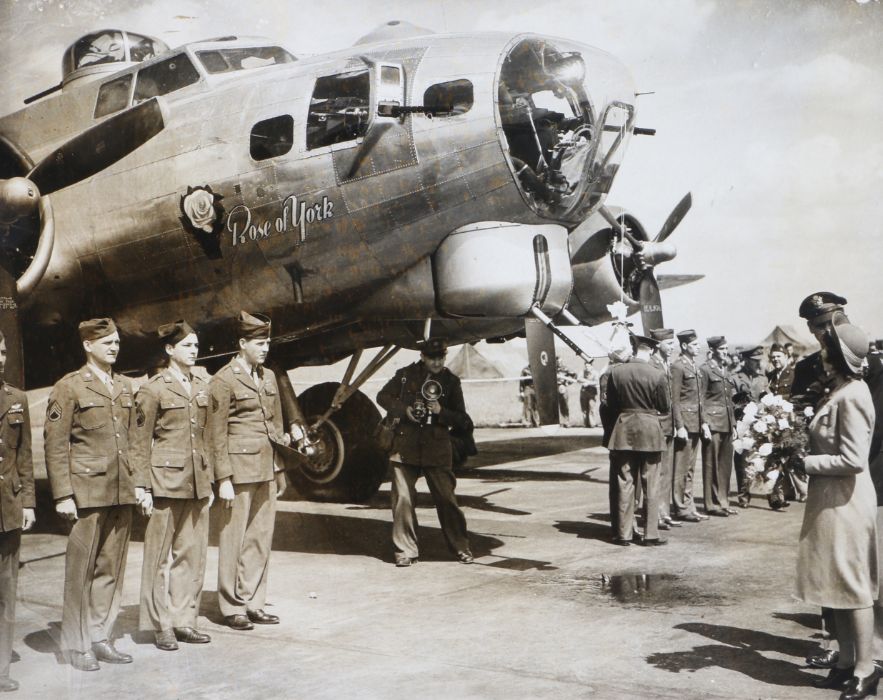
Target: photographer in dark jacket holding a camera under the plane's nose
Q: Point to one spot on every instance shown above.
(426, 399)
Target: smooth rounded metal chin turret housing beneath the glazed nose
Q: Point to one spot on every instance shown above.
(497, 269)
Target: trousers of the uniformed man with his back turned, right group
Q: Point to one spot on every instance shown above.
(628, 468)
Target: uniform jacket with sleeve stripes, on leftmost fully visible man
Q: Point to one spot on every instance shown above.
(86, 435)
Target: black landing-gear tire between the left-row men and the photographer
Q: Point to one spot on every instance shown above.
(349, 467)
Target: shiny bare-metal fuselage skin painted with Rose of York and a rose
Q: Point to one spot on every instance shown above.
(335, 242)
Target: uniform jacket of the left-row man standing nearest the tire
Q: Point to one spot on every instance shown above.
(244, 424)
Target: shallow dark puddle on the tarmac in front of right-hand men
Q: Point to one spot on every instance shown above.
(637, 590)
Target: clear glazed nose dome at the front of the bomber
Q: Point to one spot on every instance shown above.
(566, 112)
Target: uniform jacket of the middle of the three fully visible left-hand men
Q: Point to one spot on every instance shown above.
(168, 447)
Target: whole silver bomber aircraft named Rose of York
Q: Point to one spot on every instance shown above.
(414, 184)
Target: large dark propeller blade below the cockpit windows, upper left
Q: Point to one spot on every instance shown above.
(98, 148)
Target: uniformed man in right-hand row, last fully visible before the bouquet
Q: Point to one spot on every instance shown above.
(718, 428)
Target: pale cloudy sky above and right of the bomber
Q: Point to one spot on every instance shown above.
(771, 113)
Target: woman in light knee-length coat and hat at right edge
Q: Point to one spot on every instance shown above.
(837, 554)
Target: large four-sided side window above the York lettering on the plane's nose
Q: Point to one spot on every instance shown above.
(339, 108)
